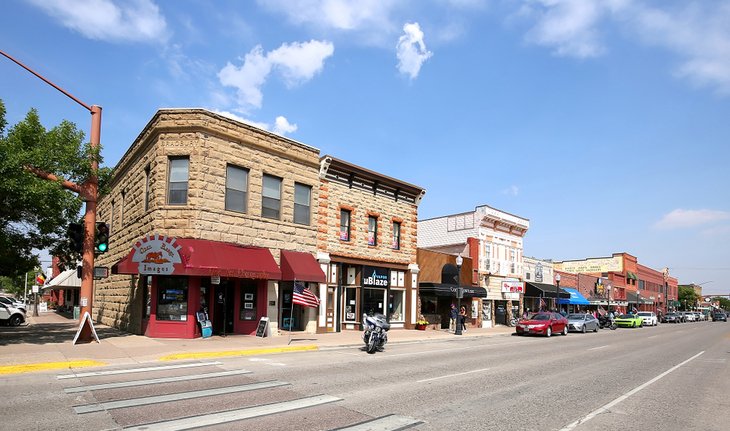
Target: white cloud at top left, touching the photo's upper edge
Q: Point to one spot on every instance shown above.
(109, 20)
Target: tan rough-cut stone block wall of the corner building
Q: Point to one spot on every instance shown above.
(211, 142)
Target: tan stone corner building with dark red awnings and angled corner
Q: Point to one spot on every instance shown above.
(209, 214)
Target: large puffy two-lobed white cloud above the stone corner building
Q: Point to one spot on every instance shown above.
(298, 63)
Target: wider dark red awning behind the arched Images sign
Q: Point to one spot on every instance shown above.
(203, 258)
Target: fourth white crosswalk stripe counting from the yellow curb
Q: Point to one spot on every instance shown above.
(236, 415)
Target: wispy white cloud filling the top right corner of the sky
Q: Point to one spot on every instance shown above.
(699, 33)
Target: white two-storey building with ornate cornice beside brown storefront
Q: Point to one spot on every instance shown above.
(494, 241)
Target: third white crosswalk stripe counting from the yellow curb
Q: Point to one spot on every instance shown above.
(134, 402)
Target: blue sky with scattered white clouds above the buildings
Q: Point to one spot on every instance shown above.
(603, 122)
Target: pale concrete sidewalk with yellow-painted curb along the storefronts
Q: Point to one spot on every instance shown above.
(47, 339)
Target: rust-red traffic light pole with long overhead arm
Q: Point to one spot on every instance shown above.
(89, 192)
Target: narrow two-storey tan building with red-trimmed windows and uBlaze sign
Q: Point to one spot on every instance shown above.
(366, 242)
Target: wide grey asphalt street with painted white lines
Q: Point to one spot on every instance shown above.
(670, 377)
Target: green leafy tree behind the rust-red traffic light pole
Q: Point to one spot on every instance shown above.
(35, 212)
